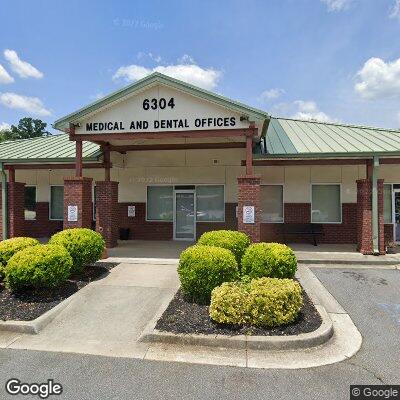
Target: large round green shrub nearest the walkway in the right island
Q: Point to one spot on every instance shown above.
(202, 268)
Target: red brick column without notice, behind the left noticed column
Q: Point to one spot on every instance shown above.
(107, 211)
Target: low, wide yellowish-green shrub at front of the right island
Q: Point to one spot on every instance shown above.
(262, 302)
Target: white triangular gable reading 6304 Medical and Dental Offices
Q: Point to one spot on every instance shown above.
(161, 108)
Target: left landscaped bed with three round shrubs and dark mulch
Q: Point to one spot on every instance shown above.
(36, 277)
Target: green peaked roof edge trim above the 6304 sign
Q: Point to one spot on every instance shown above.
(154, 78)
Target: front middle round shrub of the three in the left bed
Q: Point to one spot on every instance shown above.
(41, 266)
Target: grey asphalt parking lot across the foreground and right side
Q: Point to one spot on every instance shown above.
(372, 298)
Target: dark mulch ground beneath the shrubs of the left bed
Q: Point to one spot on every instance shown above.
(30, 304)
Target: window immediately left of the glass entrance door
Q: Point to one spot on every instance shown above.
(159, 203)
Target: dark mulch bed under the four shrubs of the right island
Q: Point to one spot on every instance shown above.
(182, 316)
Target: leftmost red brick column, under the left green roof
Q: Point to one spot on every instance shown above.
(16, 206)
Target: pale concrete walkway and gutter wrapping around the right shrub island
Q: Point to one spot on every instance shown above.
(108, 316)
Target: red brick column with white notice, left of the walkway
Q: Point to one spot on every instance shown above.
(78, 192)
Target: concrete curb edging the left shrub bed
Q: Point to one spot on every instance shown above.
(36, 325)
